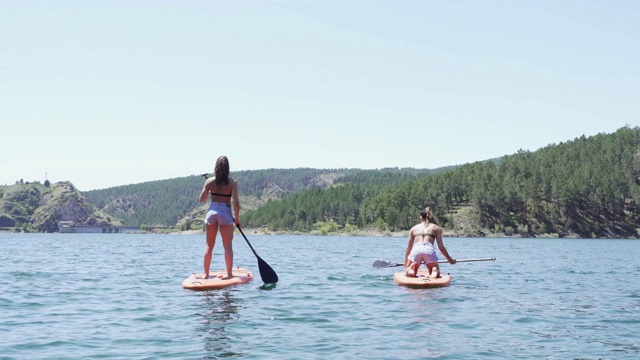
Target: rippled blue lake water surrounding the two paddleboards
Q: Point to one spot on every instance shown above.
(120, 296)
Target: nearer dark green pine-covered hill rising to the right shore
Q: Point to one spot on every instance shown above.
(588, 187)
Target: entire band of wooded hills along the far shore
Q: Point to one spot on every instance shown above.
(587, 187)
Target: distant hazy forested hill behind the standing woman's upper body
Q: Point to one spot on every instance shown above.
(169, 202)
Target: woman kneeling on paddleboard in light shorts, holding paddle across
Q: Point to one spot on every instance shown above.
(420, 249)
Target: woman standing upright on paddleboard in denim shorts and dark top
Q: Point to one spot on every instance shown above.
(222, 189)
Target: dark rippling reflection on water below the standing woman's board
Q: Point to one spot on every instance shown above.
(219, 311)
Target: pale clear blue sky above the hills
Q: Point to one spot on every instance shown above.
(109, 93)
